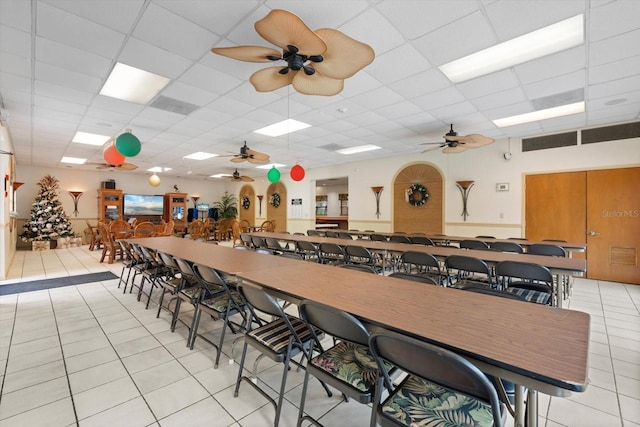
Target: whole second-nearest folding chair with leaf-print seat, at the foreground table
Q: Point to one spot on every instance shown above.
(348, 365)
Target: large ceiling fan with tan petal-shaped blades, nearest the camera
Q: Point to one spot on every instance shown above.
(325, 56)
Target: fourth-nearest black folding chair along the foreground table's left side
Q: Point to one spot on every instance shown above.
(222, 306)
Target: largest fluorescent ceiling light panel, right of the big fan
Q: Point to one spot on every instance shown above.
(545, 41)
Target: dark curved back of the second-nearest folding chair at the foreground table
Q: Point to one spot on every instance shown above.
(334, 322)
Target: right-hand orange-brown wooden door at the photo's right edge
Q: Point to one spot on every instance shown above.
(613, 225)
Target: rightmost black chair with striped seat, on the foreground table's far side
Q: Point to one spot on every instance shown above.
(533, 282)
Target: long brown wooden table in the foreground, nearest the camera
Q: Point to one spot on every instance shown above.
(542, 348)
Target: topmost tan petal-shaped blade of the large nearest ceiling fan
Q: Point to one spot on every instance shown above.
(283, 28)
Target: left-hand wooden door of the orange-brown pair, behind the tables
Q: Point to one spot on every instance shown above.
(555, 207)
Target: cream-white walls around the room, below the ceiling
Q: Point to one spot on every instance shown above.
(490, 212)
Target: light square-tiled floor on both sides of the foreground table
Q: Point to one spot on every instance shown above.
(90, 355)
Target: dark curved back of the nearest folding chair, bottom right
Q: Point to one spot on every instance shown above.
(434, 364)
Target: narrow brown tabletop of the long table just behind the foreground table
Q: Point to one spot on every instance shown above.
(556, 264)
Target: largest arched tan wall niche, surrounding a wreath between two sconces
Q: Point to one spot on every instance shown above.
(427, 218)
